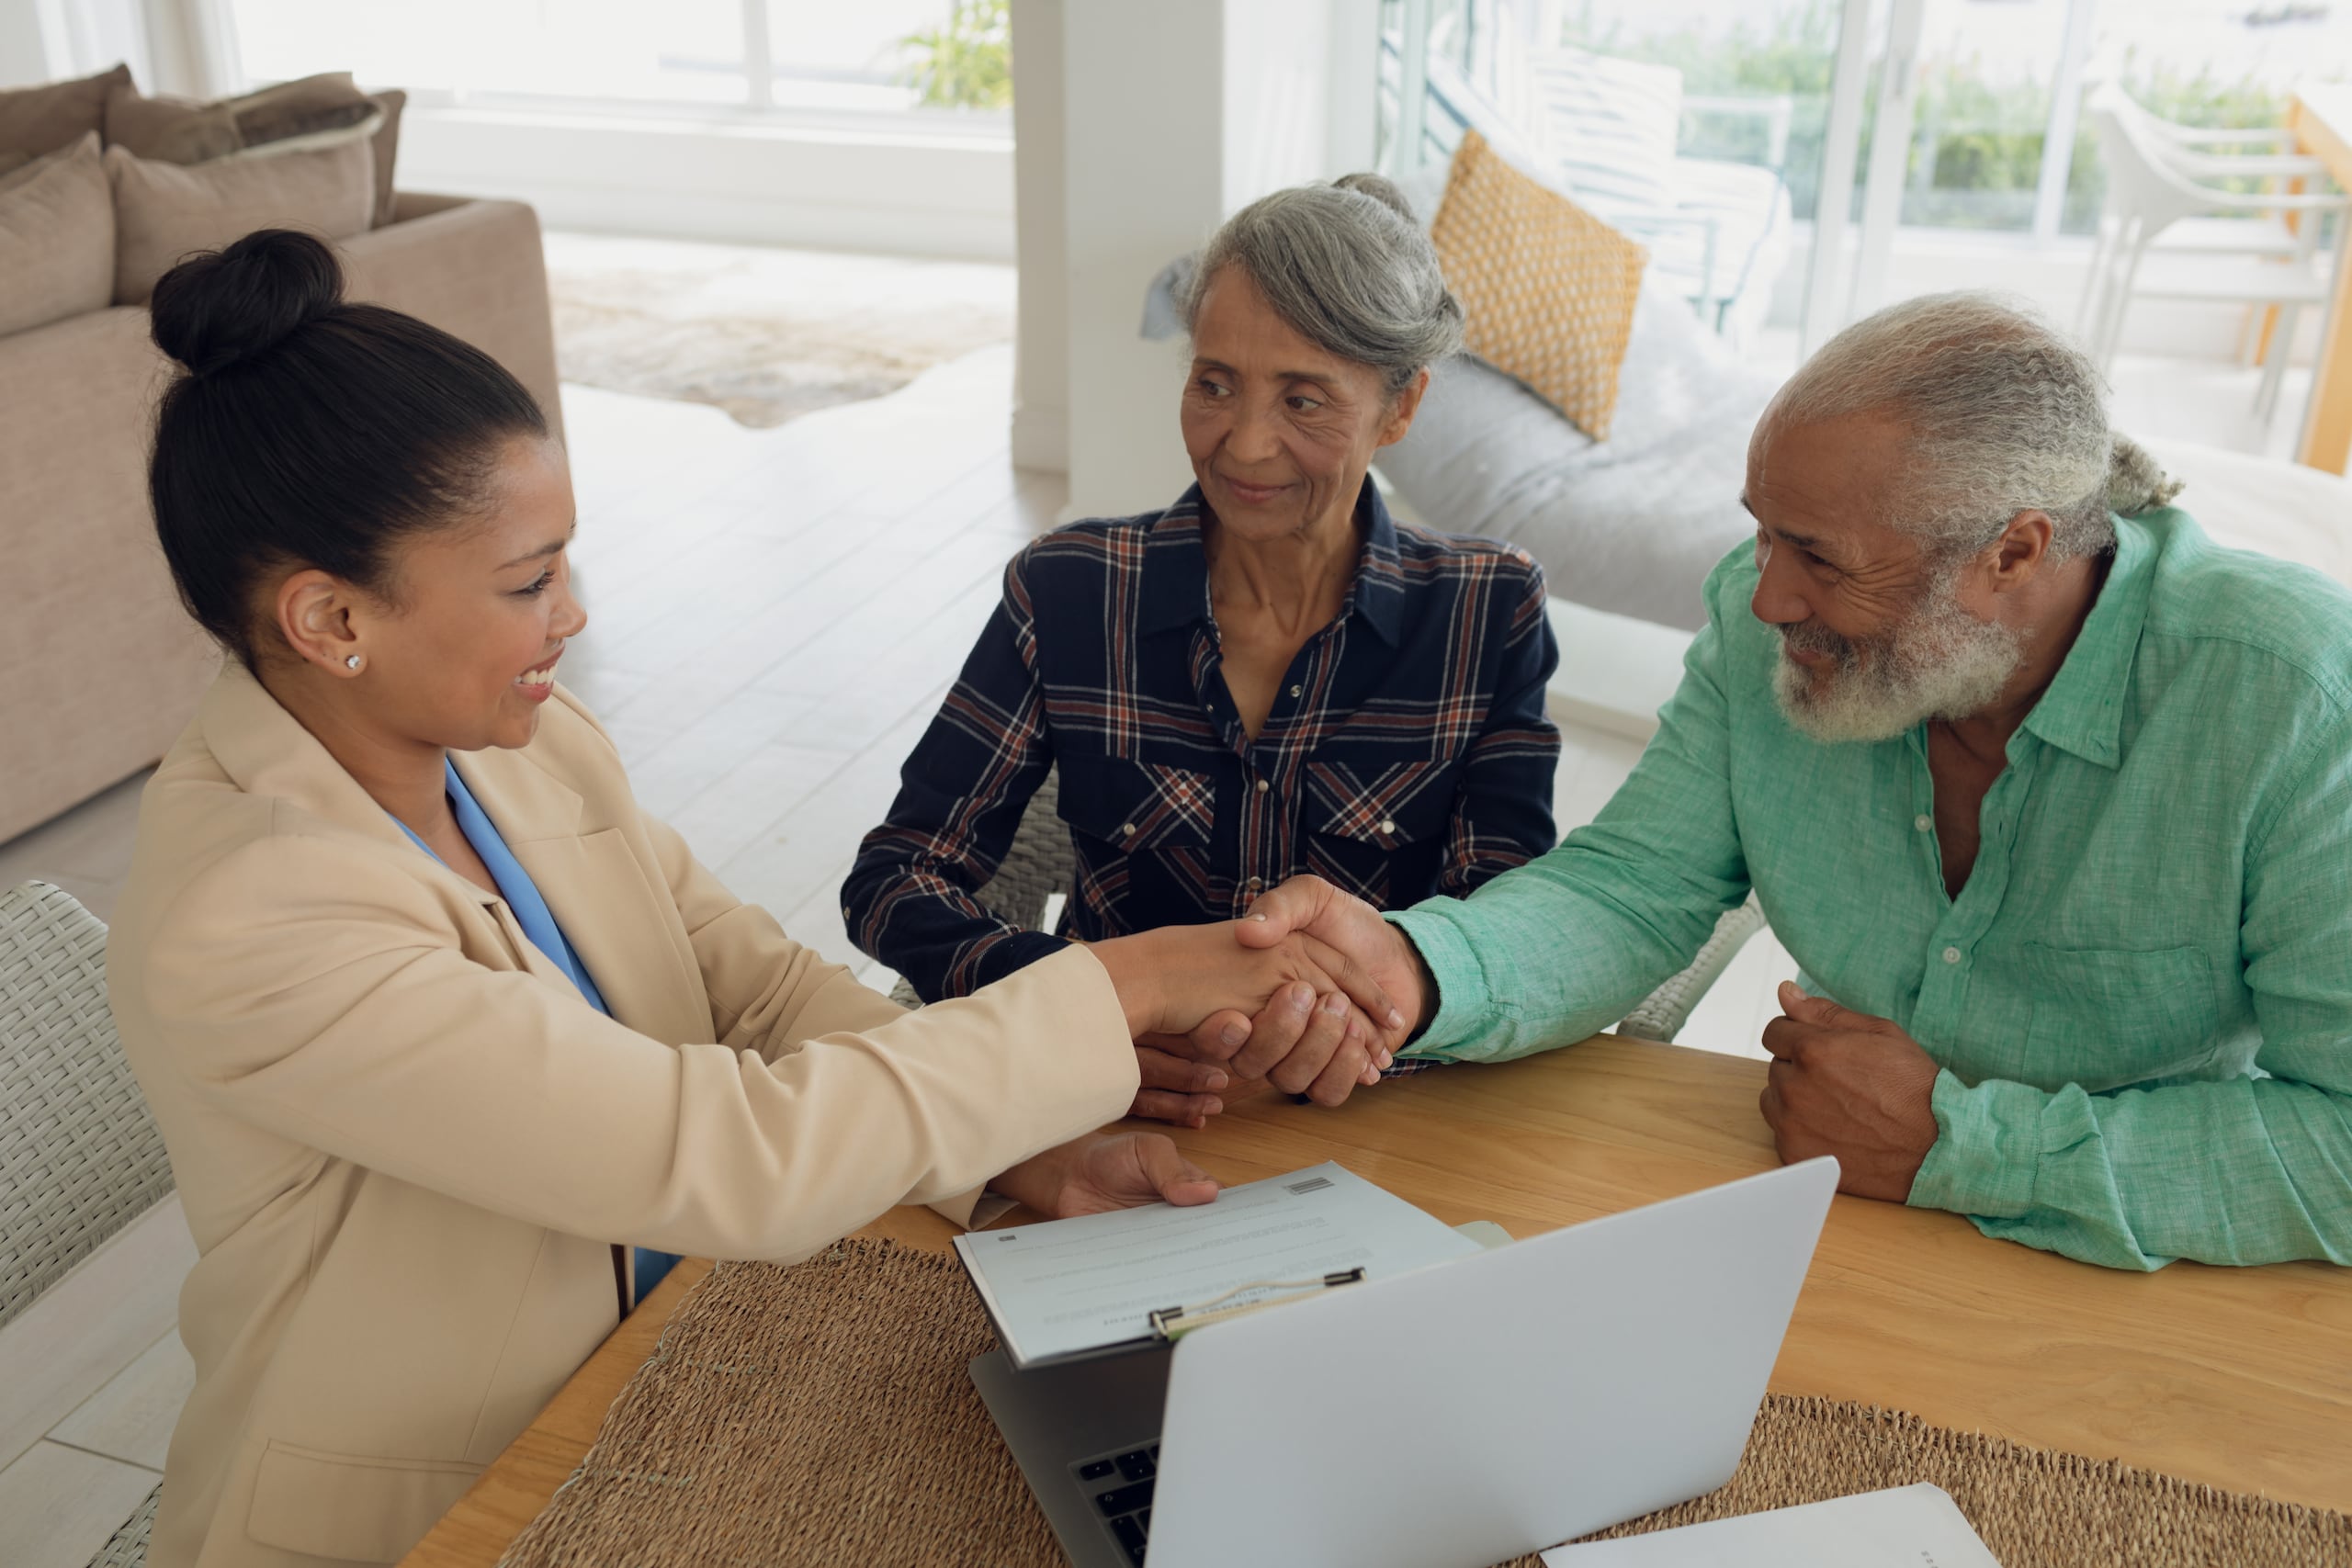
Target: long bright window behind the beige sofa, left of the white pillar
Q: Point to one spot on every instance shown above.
(947, 60)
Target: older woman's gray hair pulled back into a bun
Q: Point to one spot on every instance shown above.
(1349, 269)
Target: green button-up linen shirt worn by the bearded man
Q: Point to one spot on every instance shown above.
(2141, 1000)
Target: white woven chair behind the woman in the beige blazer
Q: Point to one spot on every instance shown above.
(81, 1155)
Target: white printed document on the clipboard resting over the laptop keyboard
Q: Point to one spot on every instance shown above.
(1069, 1289)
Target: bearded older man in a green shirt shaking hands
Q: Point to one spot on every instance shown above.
(2047, 796)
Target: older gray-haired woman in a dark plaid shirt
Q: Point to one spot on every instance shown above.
(1267, 678)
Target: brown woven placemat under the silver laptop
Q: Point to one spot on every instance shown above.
(822, 1414)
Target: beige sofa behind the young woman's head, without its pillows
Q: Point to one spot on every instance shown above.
(100, 666)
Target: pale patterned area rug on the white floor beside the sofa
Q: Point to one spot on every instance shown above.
(766, 335)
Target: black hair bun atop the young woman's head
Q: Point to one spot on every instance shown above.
(236, 304)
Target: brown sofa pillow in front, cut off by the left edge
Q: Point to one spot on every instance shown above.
(58, 239)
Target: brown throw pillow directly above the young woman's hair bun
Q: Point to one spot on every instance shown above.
(166, 213)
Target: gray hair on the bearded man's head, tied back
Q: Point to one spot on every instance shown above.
(2005, 413)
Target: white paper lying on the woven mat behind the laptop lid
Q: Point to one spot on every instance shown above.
(1906, 1527)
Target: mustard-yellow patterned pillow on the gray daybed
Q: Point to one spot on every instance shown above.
(1546, 288)
